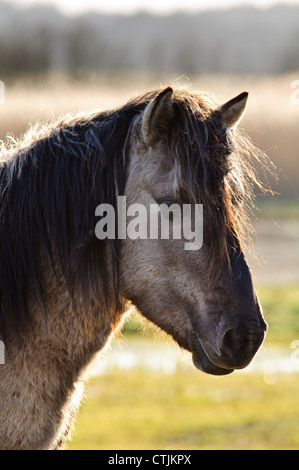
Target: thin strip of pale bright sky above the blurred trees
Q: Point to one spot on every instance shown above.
(74, 7)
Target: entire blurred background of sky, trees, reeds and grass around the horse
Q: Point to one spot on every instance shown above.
(67, 56)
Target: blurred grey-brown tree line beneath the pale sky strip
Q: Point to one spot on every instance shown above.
(246, 40)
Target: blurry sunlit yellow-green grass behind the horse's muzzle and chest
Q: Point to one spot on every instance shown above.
(191, 410)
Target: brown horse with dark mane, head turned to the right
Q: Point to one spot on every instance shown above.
(65, 293)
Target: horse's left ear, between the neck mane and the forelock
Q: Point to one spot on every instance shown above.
(157, 115)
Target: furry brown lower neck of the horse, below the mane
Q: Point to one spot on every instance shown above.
(42, 379)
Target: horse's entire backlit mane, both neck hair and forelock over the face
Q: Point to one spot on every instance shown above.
(56, 175)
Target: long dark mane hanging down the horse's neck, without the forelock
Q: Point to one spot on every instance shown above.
(51, 183)
